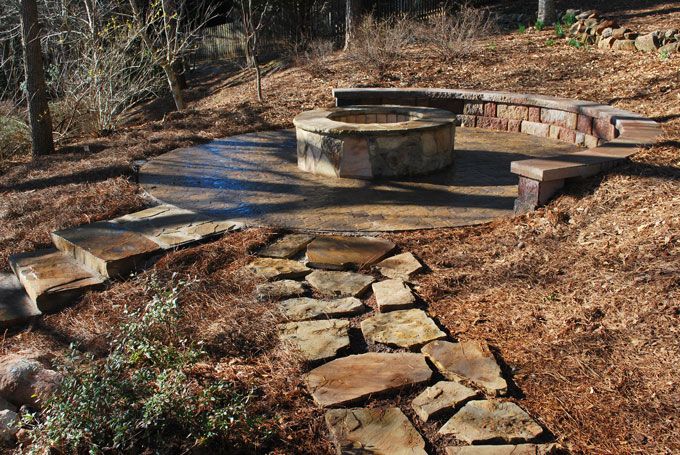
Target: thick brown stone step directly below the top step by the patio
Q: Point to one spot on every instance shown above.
(106, 247)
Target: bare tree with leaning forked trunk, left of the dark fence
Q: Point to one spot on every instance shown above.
(168, 34)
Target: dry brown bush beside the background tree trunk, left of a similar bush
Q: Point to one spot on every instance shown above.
(378, 44)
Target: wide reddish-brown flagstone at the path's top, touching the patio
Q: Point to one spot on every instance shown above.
(340, 253)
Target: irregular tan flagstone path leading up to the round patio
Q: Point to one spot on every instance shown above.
(463, 406)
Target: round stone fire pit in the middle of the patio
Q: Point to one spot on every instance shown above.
(375, 141)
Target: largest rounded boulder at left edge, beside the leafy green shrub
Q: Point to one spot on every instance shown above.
(25, 380)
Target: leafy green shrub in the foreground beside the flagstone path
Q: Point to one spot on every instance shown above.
(142, 395)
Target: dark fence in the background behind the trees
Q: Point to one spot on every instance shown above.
(323, 19)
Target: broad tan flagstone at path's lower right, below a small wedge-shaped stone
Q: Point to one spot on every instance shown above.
(484, 421)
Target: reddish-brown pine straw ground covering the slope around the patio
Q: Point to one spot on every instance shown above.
(581, 299)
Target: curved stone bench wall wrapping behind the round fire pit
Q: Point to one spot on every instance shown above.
(607, 134)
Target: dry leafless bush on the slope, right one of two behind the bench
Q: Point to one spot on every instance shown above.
(457, 33)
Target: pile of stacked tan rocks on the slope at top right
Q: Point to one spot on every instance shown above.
(591, 28)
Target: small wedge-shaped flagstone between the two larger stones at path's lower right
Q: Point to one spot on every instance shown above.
(442, 397)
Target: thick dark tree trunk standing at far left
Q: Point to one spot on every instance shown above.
(38, 109)
